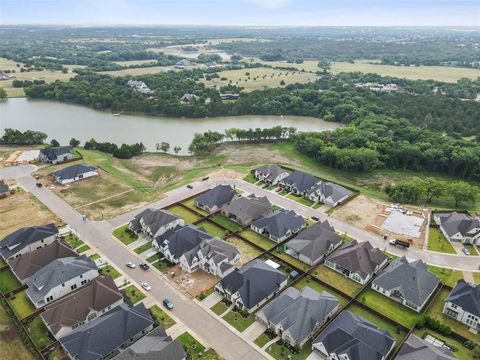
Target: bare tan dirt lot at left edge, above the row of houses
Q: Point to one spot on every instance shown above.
(22, 209)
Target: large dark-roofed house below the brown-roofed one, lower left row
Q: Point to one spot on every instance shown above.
(105, 336)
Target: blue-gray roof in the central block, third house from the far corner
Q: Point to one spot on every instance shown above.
(280, 222)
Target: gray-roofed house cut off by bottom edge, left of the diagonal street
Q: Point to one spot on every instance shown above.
(156, 345)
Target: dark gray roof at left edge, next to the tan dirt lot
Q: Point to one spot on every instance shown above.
(16, 241)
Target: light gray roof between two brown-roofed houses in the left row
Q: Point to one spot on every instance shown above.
(56, 273)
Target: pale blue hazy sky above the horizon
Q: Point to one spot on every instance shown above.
(243, 12)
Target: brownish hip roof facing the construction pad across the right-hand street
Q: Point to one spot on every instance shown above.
(357, 257)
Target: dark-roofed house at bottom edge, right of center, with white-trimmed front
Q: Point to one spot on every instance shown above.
(351, 337)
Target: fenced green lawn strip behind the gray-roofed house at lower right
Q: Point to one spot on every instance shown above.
(388, 307)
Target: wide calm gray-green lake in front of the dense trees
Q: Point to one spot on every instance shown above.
(63, 121)
